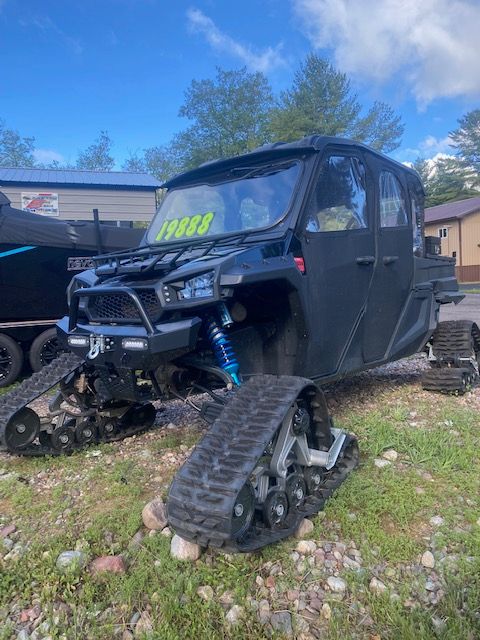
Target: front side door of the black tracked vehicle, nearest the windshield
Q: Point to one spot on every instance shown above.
(339, 253)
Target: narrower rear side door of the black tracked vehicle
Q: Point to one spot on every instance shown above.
(392, 280)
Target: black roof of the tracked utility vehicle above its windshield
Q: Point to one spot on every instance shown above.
(307, 145)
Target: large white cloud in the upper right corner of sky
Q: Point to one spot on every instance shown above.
(430, 46)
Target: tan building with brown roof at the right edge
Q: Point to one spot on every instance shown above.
(458, 226)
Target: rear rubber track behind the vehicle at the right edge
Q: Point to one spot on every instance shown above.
(453, 341)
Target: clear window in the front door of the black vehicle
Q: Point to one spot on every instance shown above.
(339, 202)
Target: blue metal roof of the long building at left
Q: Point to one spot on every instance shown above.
(76, 177)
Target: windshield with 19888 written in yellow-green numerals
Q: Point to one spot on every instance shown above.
(247, 198)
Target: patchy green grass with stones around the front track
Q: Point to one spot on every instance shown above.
(95, 503)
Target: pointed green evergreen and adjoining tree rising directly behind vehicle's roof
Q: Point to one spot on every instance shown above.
(321, 101)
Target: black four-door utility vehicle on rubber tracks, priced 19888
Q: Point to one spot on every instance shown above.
(265, 274)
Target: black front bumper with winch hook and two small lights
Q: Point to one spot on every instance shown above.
(163, 342)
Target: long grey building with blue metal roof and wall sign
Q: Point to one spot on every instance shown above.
(119, 196)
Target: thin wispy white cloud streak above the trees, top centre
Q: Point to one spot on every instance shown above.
(264, 61)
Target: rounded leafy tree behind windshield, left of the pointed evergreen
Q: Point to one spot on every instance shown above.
(229, 116)
